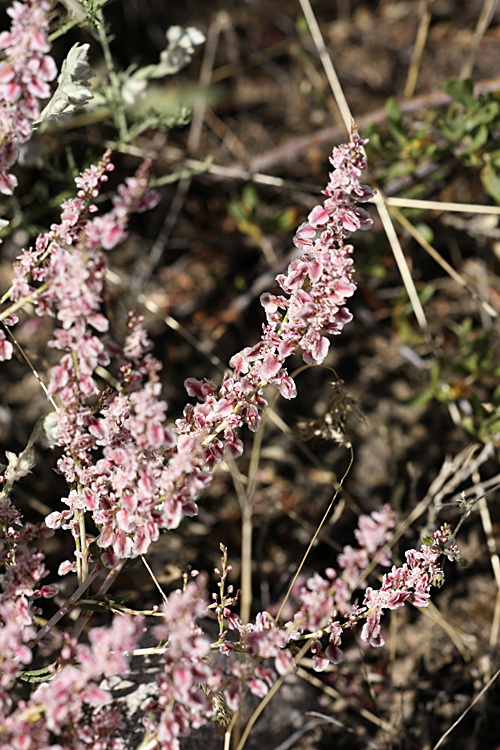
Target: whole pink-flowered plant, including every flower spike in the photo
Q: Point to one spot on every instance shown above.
(131, 475)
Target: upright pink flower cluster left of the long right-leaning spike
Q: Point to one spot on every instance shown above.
(63, 277)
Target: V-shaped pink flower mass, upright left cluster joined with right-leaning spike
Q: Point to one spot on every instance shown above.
(148, 475)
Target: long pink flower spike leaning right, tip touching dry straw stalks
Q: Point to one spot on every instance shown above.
(316, 288)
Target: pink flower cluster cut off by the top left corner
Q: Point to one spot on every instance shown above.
(24, 79)
